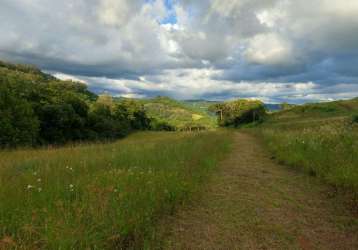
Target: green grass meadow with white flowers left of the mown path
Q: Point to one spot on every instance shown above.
(102, 196)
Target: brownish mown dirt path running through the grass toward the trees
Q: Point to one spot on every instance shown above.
(254, 203)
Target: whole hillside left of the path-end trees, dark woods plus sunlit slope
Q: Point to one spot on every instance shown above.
(38, 109)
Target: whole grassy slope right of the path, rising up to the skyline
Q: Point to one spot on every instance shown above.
(321, 139)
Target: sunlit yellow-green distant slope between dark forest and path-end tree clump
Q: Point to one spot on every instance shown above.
(178, 114)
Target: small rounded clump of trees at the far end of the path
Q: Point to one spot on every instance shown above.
(239, 112)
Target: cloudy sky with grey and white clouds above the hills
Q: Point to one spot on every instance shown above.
(275, 50)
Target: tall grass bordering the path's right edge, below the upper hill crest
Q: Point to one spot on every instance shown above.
(328, 149)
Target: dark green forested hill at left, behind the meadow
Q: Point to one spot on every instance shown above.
(37, 109)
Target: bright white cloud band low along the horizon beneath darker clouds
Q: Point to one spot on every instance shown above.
(202, 84)
